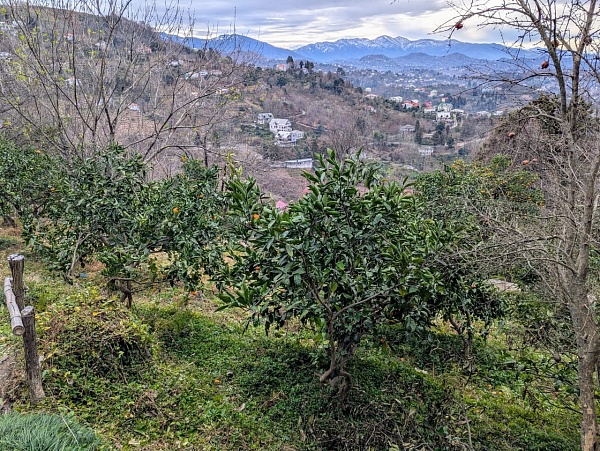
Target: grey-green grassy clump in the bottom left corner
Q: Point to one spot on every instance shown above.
(45, 432)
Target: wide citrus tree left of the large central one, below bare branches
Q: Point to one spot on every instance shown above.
(143, 232)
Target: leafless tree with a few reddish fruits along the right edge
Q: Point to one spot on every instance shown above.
(557, 135)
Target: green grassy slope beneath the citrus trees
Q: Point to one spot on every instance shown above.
(208, 383)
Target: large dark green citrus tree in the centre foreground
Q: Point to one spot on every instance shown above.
(352, 253)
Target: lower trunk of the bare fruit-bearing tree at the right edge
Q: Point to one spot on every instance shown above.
(586, 334)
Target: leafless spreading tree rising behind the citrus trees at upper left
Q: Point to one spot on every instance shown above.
(84, 75)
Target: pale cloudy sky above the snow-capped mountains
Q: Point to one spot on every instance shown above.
(291, 24)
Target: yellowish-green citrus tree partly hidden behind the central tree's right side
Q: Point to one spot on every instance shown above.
(476, 197)
